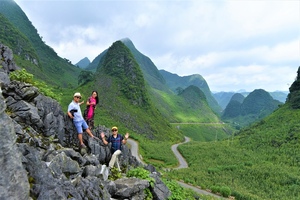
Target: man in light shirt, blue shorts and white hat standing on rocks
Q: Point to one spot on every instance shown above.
(74, 112)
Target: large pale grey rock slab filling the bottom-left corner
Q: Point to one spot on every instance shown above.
(13, 182)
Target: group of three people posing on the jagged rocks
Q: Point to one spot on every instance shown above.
(86, 122)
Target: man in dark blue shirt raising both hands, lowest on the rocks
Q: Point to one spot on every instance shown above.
(116, 140)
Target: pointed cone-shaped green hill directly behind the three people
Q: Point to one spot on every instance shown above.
(125, 96)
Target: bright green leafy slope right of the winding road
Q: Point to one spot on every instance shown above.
(262, 162)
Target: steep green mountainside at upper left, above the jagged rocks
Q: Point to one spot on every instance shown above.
(47, 66)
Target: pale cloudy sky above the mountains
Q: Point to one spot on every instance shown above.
(233, 44)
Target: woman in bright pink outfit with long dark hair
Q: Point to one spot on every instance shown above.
(91, 103)
